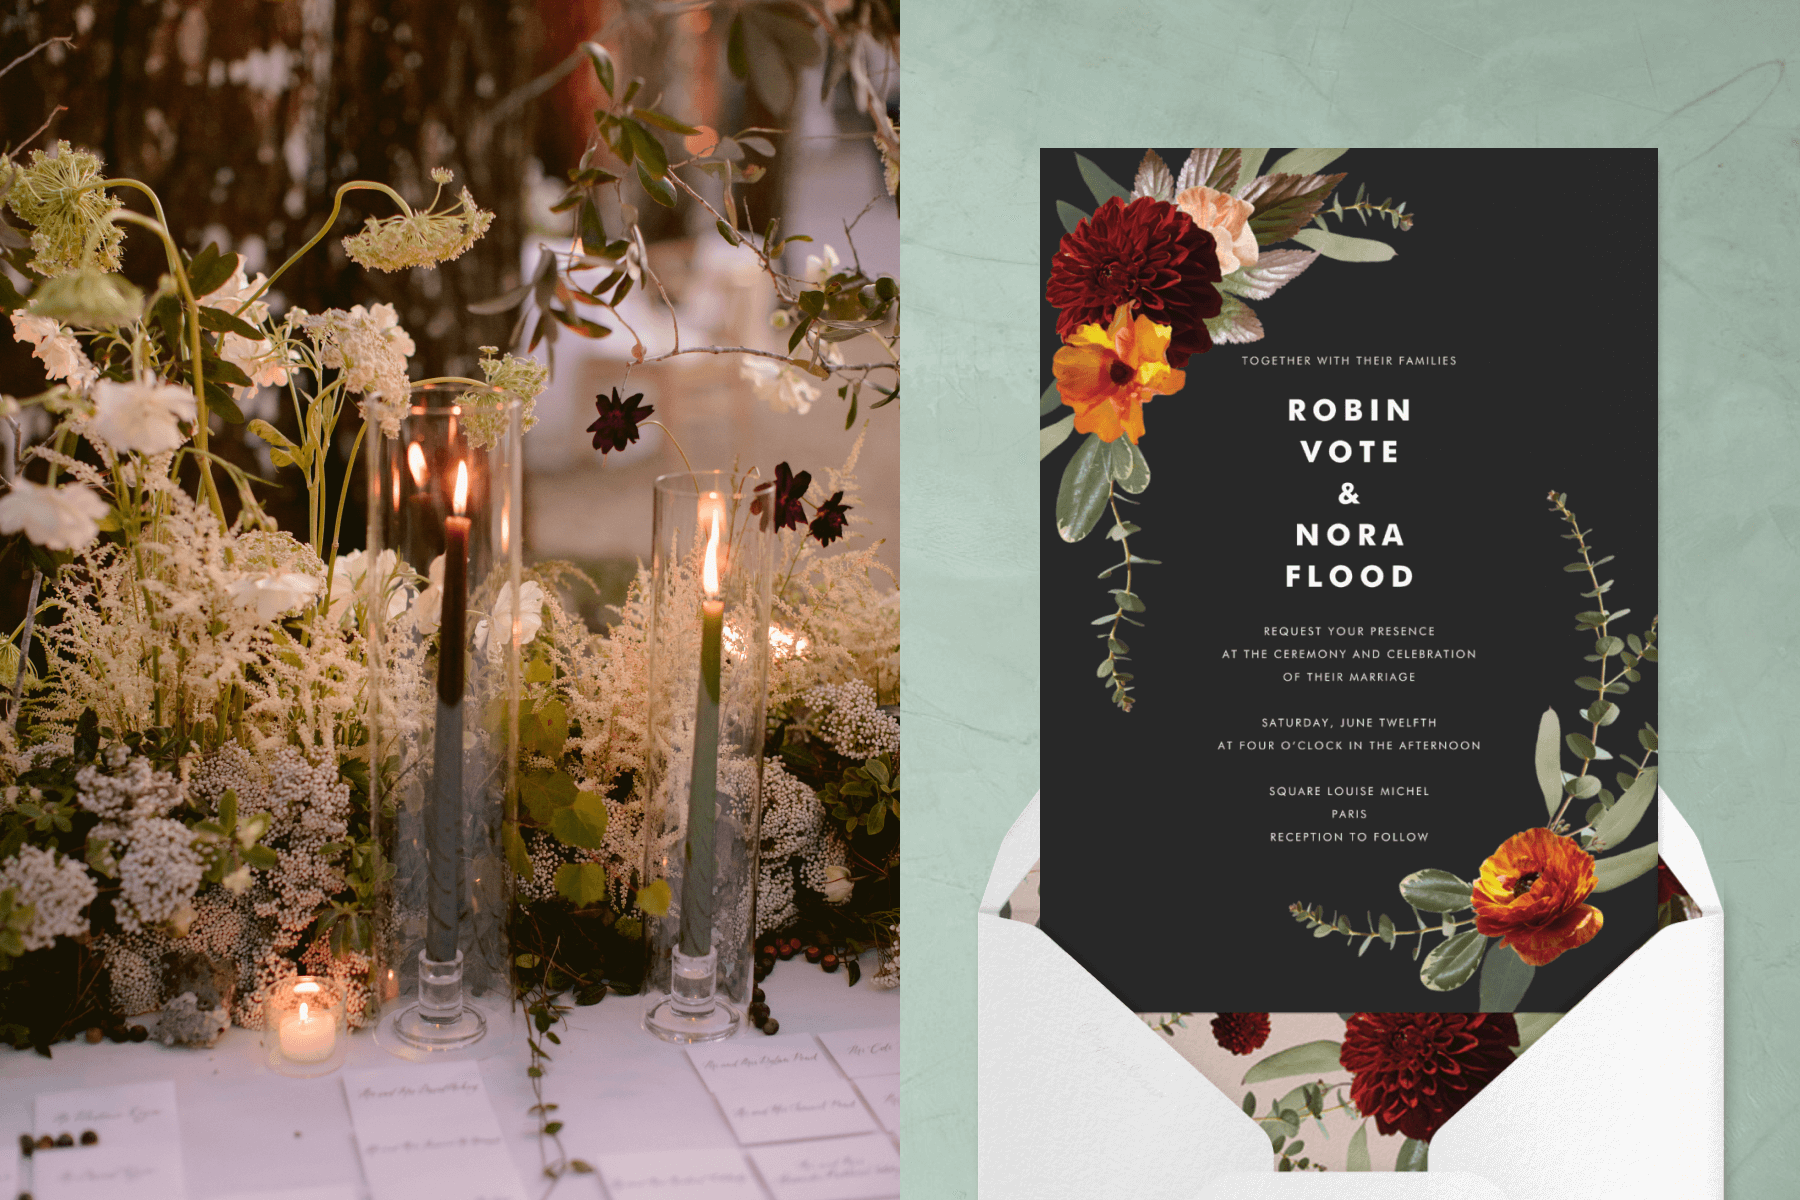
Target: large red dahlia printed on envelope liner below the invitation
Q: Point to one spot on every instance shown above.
(1416, 1071)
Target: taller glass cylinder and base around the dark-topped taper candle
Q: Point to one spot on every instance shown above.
(445, 582)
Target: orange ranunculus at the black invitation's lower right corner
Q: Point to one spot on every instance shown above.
(1531, 895)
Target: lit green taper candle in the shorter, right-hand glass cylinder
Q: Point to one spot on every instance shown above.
(703, 791)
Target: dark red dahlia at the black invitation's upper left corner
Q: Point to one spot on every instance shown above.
(1147, 255)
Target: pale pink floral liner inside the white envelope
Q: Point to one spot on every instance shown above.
(1354, 1091)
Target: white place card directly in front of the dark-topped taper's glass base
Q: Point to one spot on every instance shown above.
(427, 1133)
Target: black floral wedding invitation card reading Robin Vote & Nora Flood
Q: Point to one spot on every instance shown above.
(1349, 575)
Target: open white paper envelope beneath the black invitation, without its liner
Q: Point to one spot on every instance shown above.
(1624, 1098)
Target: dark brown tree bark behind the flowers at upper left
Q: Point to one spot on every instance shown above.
(246, 116)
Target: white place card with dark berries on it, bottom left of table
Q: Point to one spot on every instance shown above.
(139, 1151)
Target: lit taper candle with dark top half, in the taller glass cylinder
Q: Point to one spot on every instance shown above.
(444, 830)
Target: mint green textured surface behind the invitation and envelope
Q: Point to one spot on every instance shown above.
(1707, 84)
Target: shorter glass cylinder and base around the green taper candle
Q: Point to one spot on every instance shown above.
(708, 674)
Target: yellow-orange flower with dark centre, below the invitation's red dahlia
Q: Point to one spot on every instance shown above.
(1108, 375)
